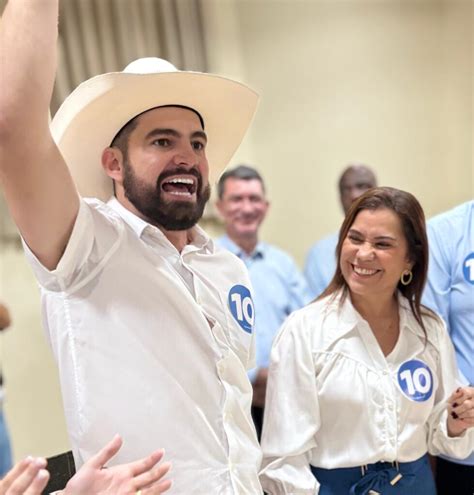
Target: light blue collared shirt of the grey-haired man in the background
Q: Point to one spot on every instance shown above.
(278, 289)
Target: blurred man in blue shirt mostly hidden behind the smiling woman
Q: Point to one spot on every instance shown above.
(321, 260)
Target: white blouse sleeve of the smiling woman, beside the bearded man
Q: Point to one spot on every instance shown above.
(291, 414)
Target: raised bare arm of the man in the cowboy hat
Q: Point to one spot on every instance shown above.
(36, 181)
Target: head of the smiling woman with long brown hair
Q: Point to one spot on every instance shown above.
(385, 226)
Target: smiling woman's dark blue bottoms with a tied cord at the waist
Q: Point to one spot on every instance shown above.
(416, 478)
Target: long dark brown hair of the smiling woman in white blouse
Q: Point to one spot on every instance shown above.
(412, 218)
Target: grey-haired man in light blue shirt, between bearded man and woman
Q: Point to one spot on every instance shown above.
(278, 286)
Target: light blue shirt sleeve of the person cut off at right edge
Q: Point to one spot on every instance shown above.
(436, 295)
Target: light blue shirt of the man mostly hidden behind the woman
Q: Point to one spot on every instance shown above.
(320, 264)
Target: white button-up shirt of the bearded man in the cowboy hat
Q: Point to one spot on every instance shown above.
(154, 344)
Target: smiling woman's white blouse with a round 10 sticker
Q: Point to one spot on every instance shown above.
(334, 400)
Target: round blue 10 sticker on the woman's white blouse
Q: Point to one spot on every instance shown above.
(415, 380)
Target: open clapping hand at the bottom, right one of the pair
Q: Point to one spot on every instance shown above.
(142, 476)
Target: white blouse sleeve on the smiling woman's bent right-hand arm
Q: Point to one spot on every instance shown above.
(438, 440)
